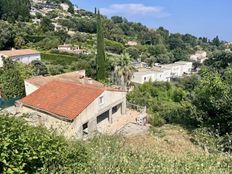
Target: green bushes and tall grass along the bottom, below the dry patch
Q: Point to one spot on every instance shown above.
(27, 149)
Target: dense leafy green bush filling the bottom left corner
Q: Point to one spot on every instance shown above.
(26, 149)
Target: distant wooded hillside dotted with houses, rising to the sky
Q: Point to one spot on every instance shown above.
(44, 25)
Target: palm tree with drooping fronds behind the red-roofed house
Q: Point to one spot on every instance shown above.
(124, 70)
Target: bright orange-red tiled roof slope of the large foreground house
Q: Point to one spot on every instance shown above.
(62, 99)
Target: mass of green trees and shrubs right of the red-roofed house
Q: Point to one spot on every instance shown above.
(199, 103)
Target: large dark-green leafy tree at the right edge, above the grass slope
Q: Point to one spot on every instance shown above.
(213, 98)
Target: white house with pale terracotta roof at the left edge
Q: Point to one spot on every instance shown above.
(24, 55)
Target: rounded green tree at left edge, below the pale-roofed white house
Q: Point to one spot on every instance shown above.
(11, 83)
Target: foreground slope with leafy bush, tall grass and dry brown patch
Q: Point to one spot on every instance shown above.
(166, 150)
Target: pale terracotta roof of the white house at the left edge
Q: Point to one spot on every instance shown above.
(13, 53)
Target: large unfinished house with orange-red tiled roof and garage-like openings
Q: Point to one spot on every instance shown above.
(72, 103)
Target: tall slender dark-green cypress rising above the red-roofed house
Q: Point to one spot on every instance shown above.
(100, 58)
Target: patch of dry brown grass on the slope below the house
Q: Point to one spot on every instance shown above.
(168, 139)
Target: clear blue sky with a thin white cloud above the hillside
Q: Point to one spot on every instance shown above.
(198, 17)
